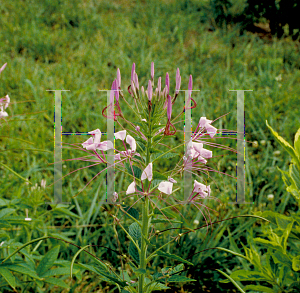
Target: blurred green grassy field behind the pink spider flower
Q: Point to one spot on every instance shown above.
(78, 46)
